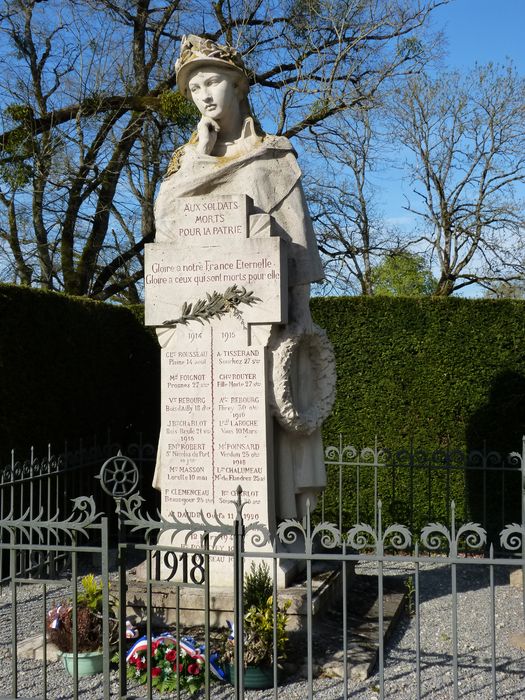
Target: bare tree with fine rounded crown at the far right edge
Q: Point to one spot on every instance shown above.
(466, 138)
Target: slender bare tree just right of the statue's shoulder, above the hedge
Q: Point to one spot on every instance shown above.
(352, 235)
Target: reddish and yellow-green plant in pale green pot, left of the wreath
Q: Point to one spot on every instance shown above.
(89, 609)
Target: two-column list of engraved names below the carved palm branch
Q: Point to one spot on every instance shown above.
(215, 426)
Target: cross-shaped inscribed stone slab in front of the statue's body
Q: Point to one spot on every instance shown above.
(216, 429)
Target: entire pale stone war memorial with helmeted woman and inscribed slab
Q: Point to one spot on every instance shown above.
(247, 377)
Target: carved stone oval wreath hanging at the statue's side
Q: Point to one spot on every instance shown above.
(284, 349)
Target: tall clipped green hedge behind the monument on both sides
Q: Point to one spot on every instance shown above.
(442, 373)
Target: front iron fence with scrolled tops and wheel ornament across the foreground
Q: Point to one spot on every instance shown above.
(445, 556)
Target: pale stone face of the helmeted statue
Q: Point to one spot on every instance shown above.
(215, 93)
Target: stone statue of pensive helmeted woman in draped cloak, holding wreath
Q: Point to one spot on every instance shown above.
(229, 154)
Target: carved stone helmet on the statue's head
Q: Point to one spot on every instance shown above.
(196, 51)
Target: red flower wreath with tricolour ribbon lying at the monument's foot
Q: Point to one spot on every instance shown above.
(174, 664)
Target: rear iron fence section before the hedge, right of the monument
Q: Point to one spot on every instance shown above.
(416, 485)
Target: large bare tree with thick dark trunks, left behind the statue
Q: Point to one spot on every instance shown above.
(90, 112)
